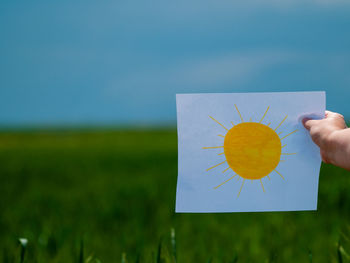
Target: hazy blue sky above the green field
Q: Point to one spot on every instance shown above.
(122, 62)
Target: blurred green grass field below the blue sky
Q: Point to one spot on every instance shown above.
(115, 191)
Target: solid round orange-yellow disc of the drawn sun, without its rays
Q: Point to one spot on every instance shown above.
(252, 150)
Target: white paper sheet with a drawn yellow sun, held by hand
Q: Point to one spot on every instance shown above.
(248, 152)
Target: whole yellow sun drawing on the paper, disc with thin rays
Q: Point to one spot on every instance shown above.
(253, 150)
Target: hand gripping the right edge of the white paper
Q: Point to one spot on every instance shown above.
(333, 137)
